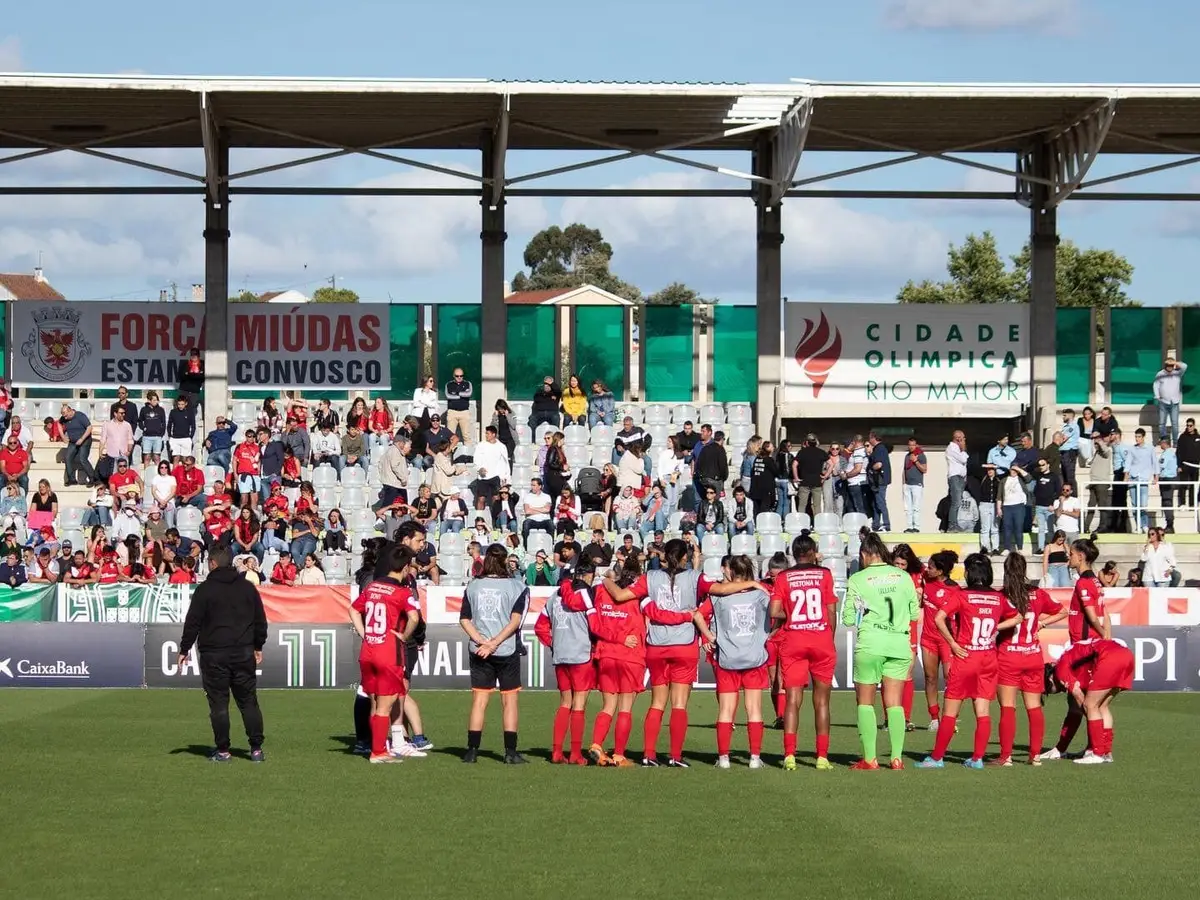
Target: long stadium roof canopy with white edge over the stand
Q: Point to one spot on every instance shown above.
(104, 115)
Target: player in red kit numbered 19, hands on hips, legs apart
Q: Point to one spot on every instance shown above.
(981, 613)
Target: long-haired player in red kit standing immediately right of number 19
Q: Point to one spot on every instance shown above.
(1022, 670)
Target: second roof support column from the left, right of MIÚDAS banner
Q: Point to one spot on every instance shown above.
(494, 322)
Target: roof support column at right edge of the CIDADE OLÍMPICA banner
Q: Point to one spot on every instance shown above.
(1043, 299)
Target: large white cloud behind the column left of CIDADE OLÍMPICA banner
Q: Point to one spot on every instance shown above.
(829, 248)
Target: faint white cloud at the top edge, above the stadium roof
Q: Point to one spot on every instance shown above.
(980, 16)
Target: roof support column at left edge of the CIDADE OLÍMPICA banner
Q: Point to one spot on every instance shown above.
(769, 295)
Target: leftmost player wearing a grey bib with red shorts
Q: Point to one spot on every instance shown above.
(569, 639)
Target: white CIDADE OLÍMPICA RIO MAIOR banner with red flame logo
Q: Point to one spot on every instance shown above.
(856, 355)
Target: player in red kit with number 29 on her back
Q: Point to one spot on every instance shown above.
(385, 615)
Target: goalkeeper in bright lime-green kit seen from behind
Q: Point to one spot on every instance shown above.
(883, 602)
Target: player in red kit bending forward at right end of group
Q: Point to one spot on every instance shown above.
(1095, 671)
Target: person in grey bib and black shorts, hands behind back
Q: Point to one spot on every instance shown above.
(493, 609)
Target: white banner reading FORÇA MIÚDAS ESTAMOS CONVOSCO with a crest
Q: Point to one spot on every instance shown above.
(272, 346)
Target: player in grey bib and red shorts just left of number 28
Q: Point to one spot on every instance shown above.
(737, 641)
